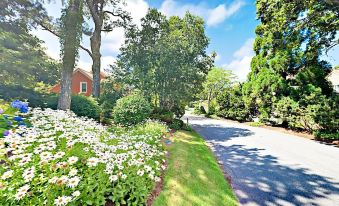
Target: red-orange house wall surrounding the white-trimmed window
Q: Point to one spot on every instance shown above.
(77, 78)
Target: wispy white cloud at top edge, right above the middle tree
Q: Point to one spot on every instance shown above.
(212, 16)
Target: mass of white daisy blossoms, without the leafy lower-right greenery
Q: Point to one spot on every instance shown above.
(59, 147)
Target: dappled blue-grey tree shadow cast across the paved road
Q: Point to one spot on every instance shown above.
(261, 180)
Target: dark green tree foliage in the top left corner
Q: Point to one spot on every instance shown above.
(22, 58)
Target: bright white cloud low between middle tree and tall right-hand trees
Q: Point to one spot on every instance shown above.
(241, 65)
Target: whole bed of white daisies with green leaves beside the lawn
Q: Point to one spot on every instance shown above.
(62, 159)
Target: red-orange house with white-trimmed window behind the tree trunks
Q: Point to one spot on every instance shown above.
(81, 82)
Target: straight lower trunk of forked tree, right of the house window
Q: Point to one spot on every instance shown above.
(96, 58)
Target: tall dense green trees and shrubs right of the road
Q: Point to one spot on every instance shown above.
(287, 85)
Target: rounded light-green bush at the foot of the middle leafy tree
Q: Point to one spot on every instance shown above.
(131, 110)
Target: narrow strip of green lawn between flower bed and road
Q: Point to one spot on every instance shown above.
(193, 176)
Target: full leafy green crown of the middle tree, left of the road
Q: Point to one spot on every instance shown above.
(165, 59)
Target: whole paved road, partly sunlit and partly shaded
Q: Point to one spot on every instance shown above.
(272, 168)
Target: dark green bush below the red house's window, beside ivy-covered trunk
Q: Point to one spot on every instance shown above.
(85, 106)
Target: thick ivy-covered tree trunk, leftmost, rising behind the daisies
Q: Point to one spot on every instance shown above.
(70, 47)
